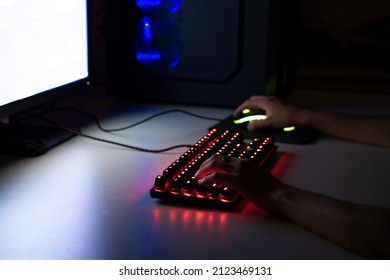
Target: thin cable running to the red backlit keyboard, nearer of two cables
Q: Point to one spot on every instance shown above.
(79, 133)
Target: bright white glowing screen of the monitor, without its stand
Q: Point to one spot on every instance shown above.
(43, 46)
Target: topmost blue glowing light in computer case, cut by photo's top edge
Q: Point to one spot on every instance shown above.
(159, 6)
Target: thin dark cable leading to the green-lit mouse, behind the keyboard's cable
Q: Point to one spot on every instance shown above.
(97, 121)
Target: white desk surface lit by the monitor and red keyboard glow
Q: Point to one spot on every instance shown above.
(90, 200)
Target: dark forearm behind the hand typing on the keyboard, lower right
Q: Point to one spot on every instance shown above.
(359, 228)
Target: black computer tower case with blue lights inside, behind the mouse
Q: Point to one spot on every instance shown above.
(210, 52)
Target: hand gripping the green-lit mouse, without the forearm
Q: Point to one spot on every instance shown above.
(279, 115)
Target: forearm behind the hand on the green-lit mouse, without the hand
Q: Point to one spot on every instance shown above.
(374, 130)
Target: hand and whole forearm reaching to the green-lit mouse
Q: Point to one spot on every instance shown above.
(373, 130)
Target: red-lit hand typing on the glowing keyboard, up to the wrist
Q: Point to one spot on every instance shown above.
(251, 181)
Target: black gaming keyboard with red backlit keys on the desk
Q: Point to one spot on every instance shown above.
(177, 181)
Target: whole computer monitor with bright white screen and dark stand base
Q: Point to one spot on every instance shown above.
(44, 53)
